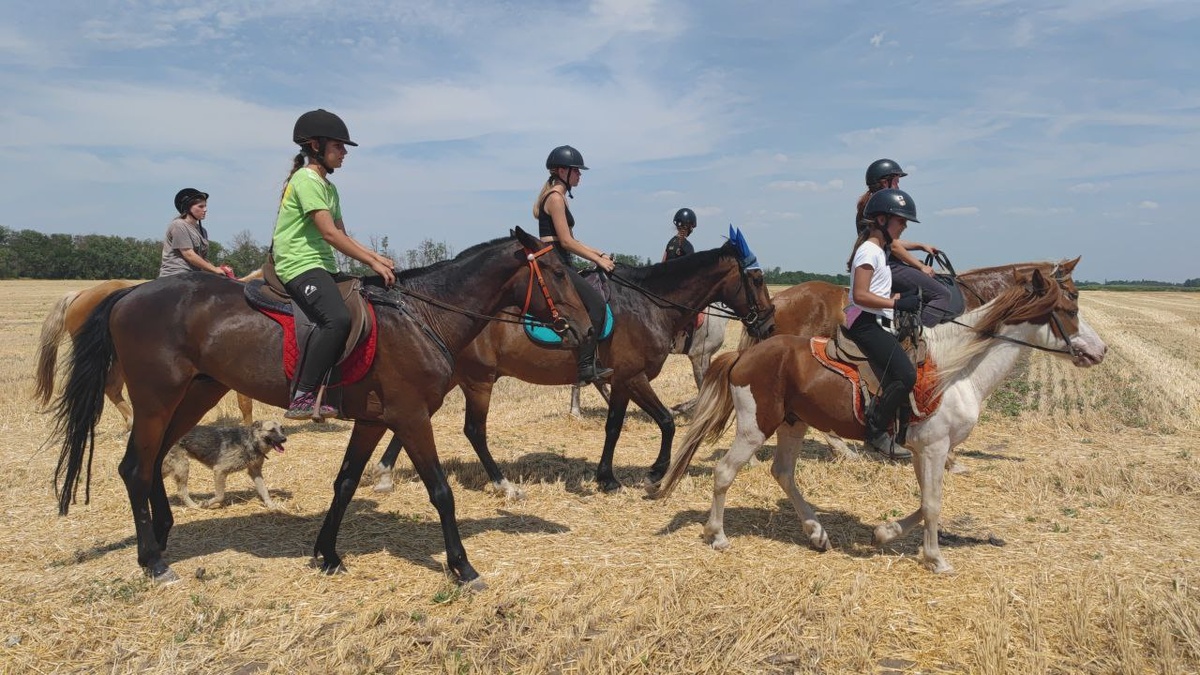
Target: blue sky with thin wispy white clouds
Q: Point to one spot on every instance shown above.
(1030, 132)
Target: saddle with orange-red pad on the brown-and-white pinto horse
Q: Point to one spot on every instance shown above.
(843, 356)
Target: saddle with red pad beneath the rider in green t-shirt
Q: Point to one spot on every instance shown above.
(269, 297)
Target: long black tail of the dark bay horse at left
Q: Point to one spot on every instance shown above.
(82, 402)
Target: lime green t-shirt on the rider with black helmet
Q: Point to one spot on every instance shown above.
(298, 244)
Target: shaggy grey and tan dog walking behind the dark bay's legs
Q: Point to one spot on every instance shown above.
(225, 450)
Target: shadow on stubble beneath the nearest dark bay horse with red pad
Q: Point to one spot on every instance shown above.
(415, 537)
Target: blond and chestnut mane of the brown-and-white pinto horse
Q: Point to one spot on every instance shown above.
(958, 345)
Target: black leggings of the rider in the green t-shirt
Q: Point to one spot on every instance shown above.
(315, 294)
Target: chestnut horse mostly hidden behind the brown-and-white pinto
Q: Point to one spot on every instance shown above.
(815, 308)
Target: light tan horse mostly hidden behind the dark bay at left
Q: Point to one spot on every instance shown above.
(67, 318)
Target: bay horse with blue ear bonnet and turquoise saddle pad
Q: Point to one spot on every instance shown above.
(650, 307)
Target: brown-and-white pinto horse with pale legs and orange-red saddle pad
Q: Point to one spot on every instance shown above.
(778, 387)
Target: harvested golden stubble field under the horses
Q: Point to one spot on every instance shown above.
(1072, 529)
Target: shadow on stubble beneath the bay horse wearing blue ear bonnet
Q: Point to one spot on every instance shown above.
(577, 475)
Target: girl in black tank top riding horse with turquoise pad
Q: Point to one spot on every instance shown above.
(566, 165)
